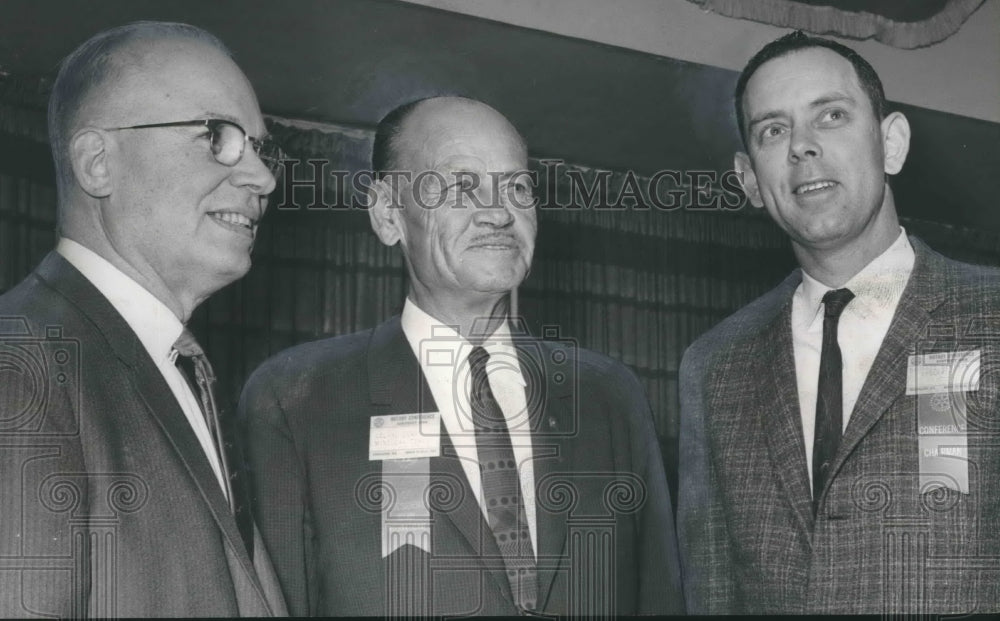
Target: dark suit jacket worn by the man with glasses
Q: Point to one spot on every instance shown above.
(109, 506)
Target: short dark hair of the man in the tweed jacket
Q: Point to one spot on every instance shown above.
(799, 40)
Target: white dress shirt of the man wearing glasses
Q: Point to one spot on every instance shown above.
(157, 328)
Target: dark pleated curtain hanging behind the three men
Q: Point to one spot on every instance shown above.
(636, 284)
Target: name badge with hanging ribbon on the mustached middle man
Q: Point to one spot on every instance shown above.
(404, 443)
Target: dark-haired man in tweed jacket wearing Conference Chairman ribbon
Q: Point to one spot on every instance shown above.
(839, 443)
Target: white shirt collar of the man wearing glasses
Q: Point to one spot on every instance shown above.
(156, 325)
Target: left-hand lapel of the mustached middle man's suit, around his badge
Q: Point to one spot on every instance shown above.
(397, 381)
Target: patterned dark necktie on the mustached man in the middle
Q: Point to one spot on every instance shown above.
(501, 486)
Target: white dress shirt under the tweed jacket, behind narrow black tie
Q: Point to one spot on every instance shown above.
(863, 325)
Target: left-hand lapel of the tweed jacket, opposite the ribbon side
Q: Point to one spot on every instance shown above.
(773, 359)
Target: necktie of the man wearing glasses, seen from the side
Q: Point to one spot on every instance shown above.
(192, 355)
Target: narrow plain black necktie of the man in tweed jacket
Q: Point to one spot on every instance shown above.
(829, 393)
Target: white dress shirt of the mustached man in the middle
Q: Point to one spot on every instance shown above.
(444, 359)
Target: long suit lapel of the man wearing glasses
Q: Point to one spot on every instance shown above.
(152, 390)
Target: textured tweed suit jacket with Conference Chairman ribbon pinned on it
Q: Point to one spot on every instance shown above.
(880, 543)
